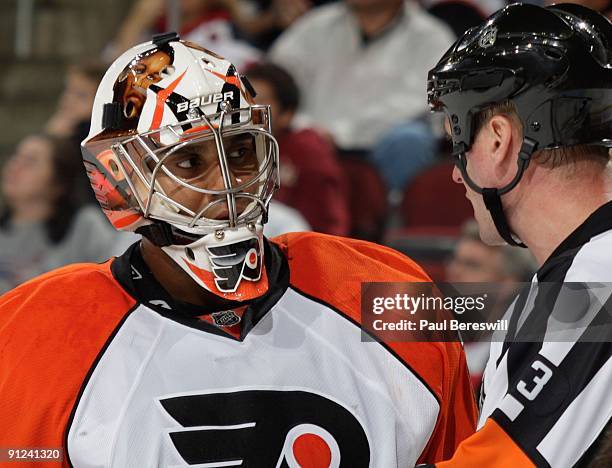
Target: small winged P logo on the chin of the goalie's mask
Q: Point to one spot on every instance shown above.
(233, 262)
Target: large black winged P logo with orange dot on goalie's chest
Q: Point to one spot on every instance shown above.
(266, 428)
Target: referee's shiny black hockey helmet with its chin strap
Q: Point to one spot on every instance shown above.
(554, 64)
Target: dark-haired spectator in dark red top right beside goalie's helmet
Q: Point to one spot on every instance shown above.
(311, 179)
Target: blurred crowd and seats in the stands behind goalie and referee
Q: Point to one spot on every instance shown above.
(360, 154)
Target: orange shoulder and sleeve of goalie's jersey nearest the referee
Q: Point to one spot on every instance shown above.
(331, 269)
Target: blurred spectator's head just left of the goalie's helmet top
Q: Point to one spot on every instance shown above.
(72, 115)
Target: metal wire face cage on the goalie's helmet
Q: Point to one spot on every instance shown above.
(143, 158)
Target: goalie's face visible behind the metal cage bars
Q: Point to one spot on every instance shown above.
(198, 165)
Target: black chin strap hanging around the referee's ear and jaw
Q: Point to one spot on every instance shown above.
(492, 196)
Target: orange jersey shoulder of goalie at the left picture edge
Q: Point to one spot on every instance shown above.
(52, 329)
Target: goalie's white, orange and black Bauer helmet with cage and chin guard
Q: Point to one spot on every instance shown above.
(179, 152)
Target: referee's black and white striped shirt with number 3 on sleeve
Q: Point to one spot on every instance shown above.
(548, 383)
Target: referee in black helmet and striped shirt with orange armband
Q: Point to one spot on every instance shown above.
(528, 100)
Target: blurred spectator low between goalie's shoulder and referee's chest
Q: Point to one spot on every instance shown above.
(473, 261)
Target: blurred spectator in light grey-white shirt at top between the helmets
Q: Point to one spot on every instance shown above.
(361, 65)
